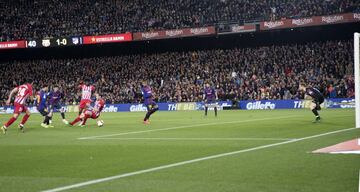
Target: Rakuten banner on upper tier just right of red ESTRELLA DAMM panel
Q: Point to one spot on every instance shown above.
(175, 33)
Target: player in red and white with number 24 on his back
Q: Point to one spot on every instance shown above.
(22, 93)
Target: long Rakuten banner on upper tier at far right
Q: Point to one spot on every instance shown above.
(310, 21)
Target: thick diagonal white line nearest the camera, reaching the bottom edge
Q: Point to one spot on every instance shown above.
(91, 182)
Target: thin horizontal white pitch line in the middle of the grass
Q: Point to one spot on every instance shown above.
(196, 139)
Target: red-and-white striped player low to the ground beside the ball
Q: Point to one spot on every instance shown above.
(93, 113)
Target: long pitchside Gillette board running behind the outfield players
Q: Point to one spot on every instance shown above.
(135, 107)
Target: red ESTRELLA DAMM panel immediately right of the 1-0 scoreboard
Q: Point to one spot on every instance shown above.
(112, 38)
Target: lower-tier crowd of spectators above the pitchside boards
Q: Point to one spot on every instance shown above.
(271, 72)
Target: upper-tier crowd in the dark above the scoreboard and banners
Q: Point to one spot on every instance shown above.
(20, 19)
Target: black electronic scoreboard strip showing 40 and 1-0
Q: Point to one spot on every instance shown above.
(54, 42)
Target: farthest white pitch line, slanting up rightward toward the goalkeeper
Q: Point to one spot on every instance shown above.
(186, 126)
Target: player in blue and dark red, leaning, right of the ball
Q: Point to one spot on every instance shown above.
(150, 104)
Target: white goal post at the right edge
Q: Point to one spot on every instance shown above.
(357, 79)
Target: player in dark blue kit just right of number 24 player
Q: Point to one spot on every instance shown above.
(41, 106)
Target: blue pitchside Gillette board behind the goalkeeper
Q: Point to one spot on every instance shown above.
(295, 104)
